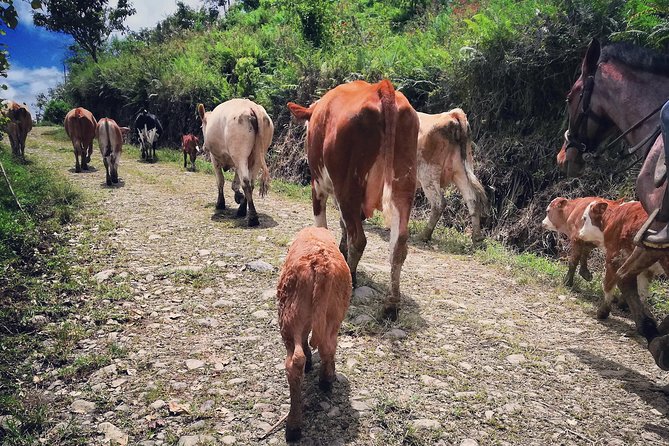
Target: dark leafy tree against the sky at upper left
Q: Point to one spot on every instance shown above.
(89, 22)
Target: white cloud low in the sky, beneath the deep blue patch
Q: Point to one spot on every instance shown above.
(25, 83)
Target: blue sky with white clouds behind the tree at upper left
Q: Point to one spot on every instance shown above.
(36, 55)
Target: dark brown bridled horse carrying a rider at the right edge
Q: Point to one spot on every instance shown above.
(621, 89)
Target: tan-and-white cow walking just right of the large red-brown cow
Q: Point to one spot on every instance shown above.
(444, 158)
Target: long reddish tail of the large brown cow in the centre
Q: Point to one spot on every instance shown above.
(389, 111)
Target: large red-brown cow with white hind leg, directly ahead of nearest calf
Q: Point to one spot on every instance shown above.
(361, 147)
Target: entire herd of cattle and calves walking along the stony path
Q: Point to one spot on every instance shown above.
(368, 148)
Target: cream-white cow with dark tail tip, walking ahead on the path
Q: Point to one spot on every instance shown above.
(237, 134)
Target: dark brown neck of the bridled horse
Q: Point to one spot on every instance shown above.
(631, 96)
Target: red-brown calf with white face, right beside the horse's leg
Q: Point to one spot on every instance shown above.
(612, 226)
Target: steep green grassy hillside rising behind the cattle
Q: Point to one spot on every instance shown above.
(508, 64)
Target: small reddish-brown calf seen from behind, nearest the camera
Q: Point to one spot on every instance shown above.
(313, 295)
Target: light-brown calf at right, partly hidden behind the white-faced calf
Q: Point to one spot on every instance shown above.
(564, 217)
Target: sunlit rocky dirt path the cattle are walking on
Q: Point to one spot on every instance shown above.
(476, 358)
